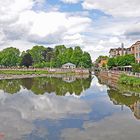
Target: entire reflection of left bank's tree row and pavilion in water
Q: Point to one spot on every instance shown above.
(60, 86)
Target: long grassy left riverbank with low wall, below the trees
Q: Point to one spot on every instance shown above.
(31, 73)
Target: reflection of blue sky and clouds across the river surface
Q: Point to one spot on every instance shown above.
(28, 116)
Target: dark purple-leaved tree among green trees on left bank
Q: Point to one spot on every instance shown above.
(27, 60)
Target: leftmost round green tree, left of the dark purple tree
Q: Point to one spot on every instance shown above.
(10, 57)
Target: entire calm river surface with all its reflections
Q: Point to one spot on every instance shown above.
(68, 108)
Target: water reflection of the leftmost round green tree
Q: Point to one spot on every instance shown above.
(10, 86)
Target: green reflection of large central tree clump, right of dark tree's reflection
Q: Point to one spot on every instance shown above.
(60, 87)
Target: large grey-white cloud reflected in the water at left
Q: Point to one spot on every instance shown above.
(24, 108)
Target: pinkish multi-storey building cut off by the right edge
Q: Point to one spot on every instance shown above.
(135, 49)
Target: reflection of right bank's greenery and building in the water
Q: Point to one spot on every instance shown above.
(123, 95)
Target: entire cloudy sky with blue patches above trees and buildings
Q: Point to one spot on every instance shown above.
(94, 25)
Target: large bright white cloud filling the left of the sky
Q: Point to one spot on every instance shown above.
(22, 24)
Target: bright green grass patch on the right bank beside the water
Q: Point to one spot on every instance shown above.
(129, 80)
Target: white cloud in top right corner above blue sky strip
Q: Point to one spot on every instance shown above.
(121, 8)
